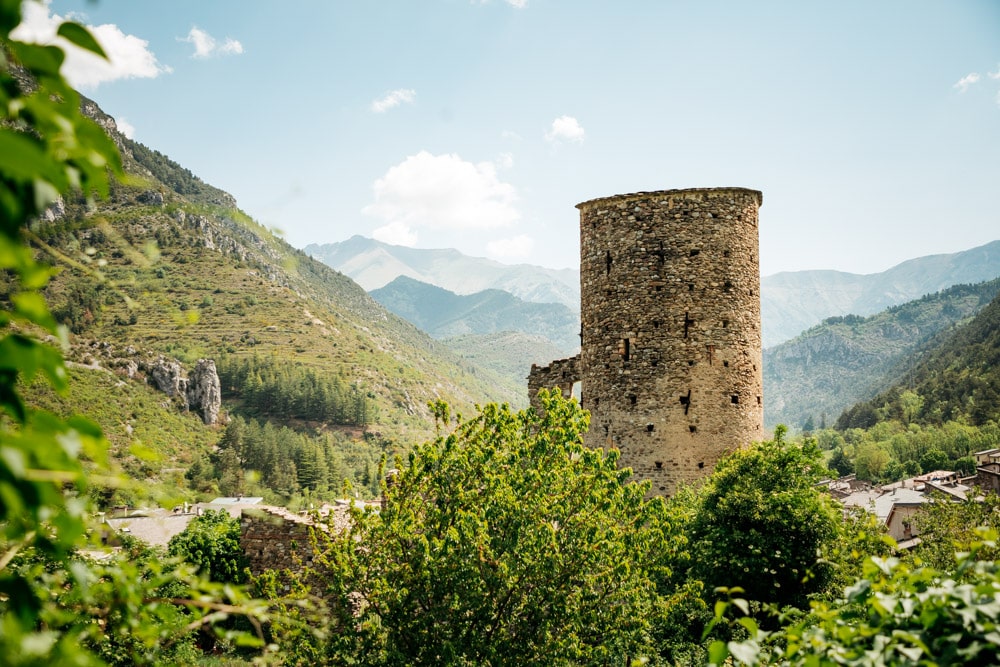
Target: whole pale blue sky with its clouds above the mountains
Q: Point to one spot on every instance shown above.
(872, 127)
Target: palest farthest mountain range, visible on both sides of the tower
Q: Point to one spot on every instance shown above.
(791, 302)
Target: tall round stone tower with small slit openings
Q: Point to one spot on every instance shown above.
(670, 359)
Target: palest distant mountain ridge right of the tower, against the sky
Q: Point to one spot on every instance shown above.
(791, 302)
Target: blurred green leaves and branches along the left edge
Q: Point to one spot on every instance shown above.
(56, 605)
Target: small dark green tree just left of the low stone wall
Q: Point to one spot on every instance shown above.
(211, 542)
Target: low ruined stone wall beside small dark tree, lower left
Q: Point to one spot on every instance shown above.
(275, 539)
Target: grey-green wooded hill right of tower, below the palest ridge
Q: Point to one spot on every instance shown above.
(849, 359)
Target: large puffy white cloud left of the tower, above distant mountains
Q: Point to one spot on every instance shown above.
(441, 192)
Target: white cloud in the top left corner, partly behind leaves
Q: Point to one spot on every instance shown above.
(128, 56)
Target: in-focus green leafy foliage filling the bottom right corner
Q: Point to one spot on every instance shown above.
(894, 615)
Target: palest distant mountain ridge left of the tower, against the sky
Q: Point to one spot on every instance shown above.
(374, 264)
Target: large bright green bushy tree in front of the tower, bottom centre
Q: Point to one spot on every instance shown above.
(504, 542)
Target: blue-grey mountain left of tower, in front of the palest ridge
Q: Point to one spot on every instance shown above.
(444, 314)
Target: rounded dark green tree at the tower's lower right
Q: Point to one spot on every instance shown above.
(760, 523)
